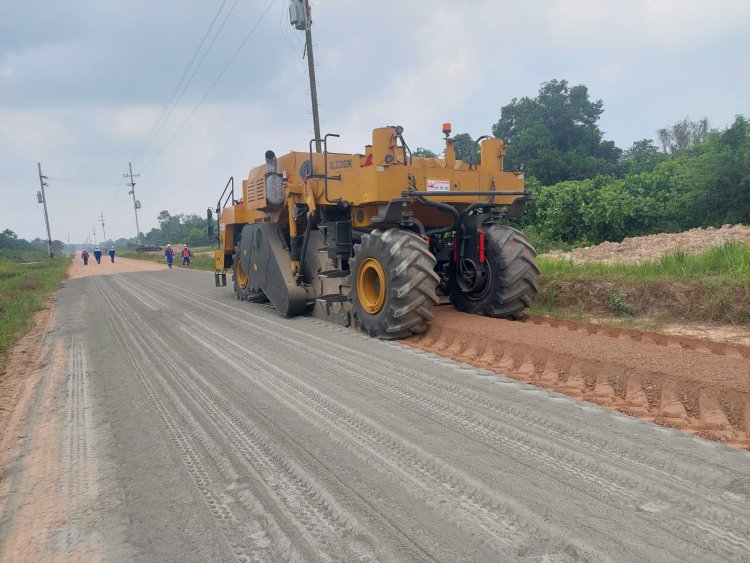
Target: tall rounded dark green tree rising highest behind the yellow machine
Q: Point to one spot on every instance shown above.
(555, 135)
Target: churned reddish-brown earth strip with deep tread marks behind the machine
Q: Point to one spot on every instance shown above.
(695, 385)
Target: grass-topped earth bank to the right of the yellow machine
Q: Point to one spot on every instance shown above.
(713, 286)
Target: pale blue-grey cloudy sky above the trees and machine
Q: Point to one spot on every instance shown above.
(84, 85)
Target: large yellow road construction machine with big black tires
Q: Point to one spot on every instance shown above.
(378, 239)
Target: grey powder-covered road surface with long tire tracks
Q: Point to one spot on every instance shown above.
(219, 430)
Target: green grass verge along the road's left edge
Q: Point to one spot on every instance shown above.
(26, 280)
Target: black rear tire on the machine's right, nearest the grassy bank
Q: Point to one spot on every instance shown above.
(512, 281)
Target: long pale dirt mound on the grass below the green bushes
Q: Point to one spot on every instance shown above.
(652, 247)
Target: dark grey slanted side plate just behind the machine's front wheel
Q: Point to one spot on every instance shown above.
(267, 262)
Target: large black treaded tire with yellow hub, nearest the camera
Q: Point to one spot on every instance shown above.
(408, 292)
